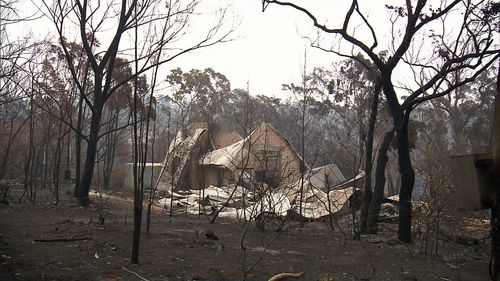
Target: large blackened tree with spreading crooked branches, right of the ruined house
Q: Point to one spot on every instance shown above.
(469, 46)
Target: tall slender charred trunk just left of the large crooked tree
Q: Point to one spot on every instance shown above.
(367, 194)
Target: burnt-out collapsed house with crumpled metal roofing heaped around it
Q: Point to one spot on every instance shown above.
(248, 178)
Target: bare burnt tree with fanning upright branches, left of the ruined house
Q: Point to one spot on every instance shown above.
(163, 29)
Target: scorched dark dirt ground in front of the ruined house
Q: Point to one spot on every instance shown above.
(177, 248)
